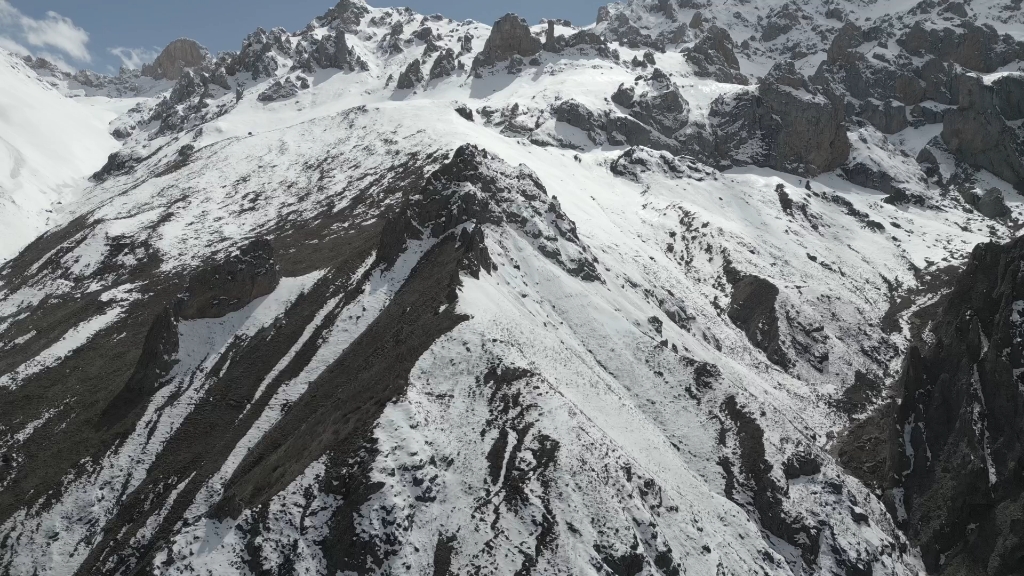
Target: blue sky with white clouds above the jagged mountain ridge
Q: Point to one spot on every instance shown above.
(103, 34)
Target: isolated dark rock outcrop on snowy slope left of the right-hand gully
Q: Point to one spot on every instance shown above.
(753, 311)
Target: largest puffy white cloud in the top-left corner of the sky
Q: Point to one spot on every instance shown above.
(54, 31)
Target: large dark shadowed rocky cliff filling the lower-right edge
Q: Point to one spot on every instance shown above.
(952, 435)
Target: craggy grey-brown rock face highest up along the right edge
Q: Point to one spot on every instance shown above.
(976, 48)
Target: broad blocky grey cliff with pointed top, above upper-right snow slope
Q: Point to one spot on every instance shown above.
(785, 125)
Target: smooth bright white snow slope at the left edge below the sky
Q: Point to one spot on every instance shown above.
(50, 146)
